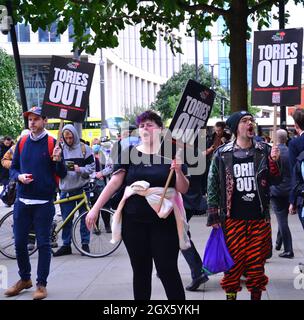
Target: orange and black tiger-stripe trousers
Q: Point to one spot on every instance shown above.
(248, 243)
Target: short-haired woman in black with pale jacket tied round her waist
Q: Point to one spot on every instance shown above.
(148, 237)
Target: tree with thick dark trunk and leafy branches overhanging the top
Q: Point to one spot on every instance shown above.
(107, 17)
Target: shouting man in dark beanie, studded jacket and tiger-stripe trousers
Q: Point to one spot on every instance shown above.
(238, 199)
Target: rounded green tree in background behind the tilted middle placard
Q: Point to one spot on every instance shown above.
(170, 93)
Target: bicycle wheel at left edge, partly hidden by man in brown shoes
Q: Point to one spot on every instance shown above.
(7, 241)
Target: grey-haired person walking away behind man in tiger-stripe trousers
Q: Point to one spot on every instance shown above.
(280, 199)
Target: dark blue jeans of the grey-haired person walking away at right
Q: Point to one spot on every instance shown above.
(280, 207)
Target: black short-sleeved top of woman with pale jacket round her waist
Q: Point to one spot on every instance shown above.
(151, 168)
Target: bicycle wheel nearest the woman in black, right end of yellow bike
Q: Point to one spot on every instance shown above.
(100, 236)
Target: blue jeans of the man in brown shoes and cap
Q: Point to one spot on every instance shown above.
(40, 216)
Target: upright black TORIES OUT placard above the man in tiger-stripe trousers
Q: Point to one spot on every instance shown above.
(277, 67)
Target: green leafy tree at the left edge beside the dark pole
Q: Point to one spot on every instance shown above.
(10, 112)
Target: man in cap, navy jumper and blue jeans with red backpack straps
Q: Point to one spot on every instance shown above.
(34, 169)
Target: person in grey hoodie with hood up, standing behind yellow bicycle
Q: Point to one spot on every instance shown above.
(80, 164)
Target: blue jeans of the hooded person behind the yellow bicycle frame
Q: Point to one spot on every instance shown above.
(66, 208)
